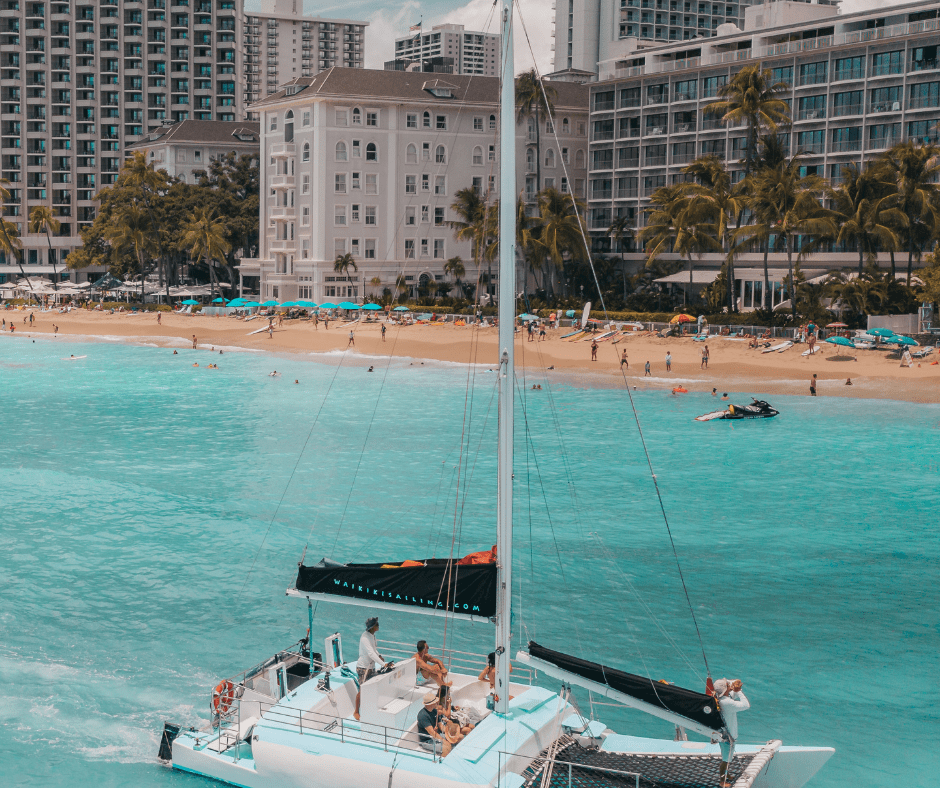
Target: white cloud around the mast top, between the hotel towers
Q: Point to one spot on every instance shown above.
(387, 24)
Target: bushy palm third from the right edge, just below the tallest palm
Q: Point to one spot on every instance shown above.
(794, 210)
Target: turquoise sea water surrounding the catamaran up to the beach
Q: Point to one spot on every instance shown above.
(142, 559)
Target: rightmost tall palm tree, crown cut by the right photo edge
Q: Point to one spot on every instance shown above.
(910, 169)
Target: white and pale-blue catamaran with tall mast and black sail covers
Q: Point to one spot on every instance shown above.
(290, 722)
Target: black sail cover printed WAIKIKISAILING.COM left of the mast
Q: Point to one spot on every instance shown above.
(439, 584)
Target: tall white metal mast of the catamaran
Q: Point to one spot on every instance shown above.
(507, 306)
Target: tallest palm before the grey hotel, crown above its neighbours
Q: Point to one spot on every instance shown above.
(752, 98)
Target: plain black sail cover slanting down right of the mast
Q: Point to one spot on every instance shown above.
(692, 705)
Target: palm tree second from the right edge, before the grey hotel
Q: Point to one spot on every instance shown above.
(863, 214)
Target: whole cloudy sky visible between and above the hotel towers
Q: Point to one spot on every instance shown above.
(389, 20)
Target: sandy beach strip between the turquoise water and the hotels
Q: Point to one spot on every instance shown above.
(733, 367)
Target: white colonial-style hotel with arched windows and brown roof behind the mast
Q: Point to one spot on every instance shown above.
(368, 163)
